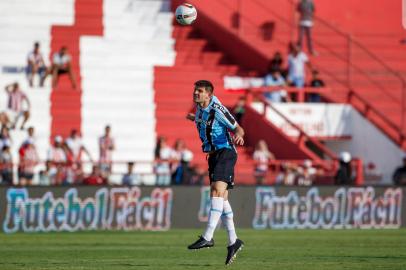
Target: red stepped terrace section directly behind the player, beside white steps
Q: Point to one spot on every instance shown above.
(196, 59)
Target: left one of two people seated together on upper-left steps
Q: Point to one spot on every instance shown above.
(36, 64)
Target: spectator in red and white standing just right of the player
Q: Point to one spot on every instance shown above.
(262, 156)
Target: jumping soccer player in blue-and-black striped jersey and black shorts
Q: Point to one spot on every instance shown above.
(214, 122)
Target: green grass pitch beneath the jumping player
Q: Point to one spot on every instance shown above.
(267, 249)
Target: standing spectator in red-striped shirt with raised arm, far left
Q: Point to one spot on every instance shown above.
(16, 99)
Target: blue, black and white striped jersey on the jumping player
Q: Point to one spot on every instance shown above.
(213, 124)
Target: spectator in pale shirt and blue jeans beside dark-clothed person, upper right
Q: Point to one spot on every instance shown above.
(296, 66)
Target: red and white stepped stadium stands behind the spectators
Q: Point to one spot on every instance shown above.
(135, 69)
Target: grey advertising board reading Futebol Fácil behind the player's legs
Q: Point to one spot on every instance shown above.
(45, 209)
